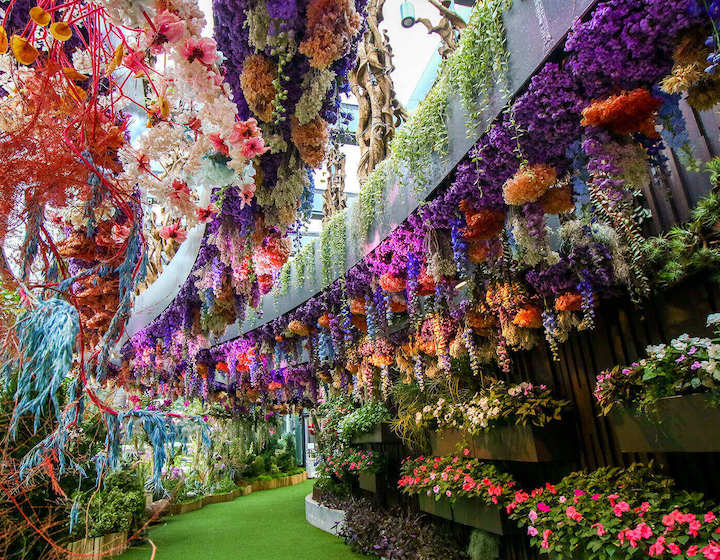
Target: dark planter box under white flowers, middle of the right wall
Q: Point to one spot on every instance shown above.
(508, 443)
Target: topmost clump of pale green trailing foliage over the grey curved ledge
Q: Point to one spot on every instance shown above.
(481, 59)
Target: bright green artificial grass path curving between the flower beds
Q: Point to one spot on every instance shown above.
(266, 525)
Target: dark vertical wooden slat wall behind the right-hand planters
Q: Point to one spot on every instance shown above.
(623, 330)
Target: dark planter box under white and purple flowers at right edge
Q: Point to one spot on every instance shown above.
(682, 424)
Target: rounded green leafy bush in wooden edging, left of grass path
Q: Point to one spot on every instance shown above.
(118, 506)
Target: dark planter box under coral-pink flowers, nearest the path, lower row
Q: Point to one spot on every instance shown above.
(472, 512)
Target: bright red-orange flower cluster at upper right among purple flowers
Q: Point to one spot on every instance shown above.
(625, 113)
